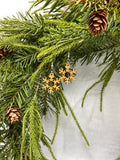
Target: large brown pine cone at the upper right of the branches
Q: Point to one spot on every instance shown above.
(97, 21)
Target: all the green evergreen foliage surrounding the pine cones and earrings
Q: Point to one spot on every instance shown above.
(36, 40)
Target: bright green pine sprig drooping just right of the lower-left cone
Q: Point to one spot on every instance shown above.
(35, 130)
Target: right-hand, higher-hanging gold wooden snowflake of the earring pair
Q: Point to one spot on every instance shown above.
(68, 74)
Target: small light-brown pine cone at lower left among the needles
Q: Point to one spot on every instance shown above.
(13, 114)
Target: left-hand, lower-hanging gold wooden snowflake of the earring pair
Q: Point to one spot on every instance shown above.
(51, 83)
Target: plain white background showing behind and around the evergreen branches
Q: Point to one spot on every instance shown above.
(101, 129)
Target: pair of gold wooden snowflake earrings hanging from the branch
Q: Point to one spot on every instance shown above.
(67, 75)
